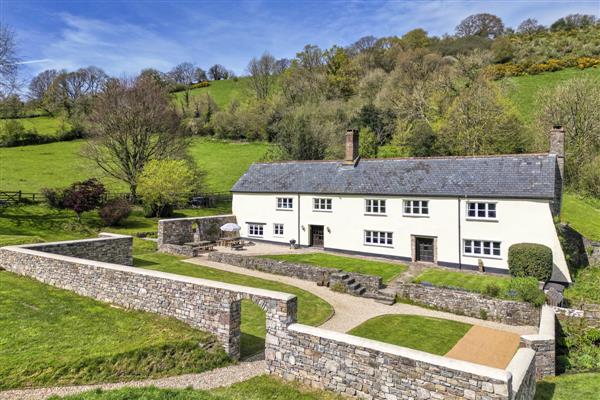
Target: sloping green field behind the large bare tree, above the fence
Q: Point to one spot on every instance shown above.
(30, 168)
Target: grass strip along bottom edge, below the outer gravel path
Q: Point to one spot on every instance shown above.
(260, 388)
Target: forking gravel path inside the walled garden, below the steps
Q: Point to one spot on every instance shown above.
(351, 311)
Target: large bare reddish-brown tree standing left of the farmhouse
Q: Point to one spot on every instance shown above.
(131, 123)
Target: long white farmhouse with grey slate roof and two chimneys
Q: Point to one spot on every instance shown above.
(451, 211)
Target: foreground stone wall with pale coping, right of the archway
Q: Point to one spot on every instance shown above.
(374, 370)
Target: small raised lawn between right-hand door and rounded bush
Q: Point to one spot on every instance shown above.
(465, 280)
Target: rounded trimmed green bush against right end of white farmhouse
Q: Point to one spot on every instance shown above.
(530, 259)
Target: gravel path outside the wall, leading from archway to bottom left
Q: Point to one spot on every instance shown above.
(206, 380)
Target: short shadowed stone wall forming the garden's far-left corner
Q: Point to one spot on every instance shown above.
(109, 247)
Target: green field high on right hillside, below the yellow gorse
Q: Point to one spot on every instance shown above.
(524, 91)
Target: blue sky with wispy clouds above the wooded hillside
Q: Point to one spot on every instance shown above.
(122, 37)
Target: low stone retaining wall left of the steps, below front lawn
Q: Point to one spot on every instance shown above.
(301, 271)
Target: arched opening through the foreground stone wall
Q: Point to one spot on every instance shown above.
(254, 330)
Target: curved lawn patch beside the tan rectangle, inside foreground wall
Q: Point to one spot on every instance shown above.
(432, 335)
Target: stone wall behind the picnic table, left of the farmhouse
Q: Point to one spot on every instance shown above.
(178, 231)
